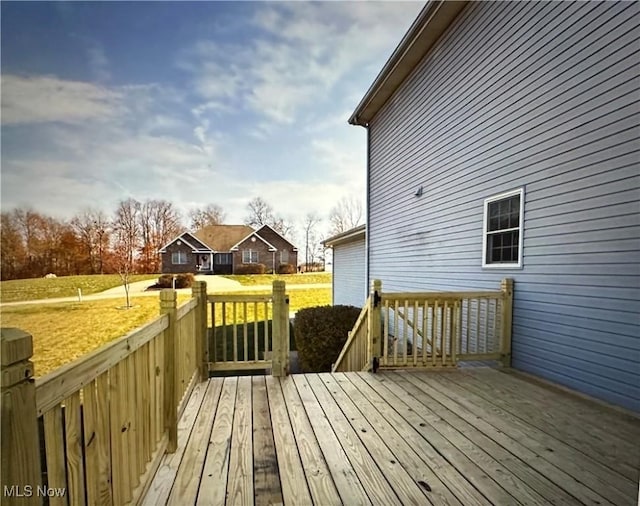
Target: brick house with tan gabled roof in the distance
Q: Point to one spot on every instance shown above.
(222, 249)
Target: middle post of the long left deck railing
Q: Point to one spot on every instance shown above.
(168, 306)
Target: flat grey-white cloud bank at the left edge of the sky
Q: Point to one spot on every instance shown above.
(46, 99)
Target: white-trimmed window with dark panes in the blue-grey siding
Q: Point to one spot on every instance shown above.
(502, 230)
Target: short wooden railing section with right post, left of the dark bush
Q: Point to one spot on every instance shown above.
(250, 331)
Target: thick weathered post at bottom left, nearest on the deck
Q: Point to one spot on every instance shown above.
(21, 474)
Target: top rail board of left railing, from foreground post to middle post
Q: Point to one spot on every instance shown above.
(56, 386)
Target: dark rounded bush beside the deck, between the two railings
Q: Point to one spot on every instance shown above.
(320, 334)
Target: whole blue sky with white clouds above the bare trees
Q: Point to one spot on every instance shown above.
(192, 102)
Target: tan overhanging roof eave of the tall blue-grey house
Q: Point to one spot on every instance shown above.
(431, 23)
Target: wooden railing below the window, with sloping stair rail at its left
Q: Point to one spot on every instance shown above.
(430, 329)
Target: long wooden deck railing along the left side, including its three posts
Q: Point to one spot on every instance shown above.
(103, 422)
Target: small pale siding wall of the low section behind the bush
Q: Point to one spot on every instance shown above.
(349, 277)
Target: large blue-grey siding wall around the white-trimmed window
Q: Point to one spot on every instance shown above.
(540, 96)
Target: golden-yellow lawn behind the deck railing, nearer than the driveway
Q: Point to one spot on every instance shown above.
(63, 332)
